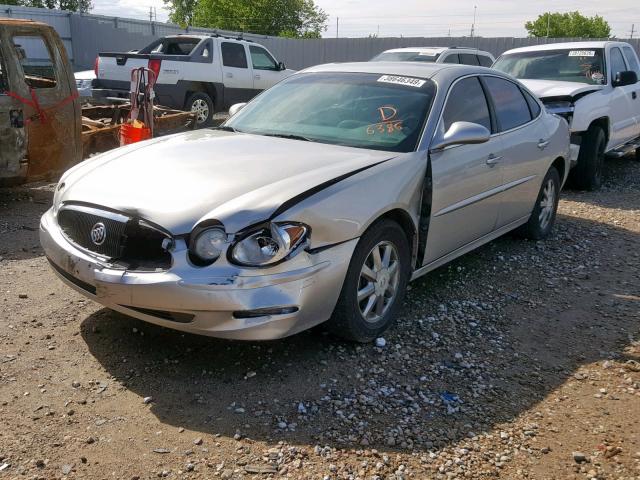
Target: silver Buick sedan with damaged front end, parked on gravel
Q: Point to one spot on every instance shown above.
(316, 202)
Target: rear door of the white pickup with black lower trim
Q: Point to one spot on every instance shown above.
(236, 72)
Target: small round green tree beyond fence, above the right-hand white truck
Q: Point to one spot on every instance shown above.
(572, 24)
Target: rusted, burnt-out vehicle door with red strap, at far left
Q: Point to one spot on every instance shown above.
(49, 103)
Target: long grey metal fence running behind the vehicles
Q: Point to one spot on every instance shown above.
(85, 35)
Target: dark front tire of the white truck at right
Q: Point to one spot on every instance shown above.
(587, 174)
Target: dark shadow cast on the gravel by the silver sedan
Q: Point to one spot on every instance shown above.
(478, 343)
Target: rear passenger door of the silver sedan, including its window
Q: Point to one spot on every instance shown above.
(524, 141)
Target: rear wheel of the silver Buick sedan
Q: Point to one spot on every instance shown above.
(543, 216)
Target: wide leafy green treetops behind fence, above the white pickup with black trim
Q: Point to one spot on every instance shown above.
(291, 18)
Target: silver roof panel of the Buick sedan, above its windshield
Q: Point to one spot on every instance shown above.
(409, 69)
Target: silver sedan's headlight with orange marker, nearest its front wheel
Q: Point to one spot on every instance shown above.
(270, 244)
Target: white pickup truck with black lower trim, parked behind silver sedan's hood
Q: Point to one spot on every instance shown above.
(201, 73)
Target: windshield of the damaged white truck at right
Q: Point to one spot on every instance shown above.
(566, 65)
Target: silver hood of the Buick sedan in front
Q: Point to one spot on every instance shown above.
(238, 179)
